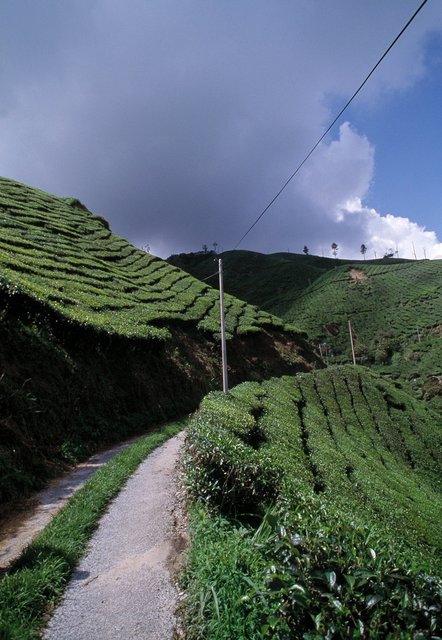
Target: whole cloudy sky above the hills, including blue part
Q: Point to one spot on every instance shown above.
(179, 120)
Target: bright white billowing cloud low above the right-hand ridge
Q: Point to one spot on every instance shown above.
(334, 185)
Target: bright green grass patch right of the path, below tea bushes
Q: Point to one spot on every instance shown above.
(222, 567)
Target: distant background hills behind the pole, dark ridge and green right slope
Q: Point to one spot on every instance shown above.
(395, 307)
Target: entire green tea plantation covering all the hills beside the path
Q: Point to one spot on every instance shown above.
(315, 497)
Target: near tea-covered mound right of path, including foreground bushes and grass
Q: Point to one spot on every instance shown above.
(348, 469)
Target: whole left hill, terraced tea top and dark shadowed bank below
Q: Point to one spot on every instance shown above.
(100, 340)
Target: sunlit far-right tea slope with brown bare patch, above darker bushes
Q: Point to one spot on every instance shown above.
(398, 299)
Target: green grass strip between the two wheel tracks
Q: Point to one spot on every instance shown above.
(34, 583)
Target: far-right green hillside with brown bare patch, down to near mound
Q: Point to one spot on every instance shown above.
(395, 312)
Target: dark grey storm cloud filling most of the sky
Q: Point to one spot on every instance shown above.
(178, 121)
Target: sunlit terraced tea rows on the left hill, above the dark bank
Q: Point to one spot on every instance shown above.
(58, 253)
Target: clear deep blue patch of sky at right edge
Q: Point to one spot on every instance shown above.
(407, 133)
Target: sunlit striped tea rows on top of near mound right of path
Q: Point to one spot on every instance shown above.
(344, 433)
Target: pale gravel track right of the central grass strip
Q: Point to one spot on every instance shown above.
(122, 589)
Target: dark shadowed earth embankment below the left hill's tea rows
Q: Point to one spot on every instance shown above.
(66, 391)
